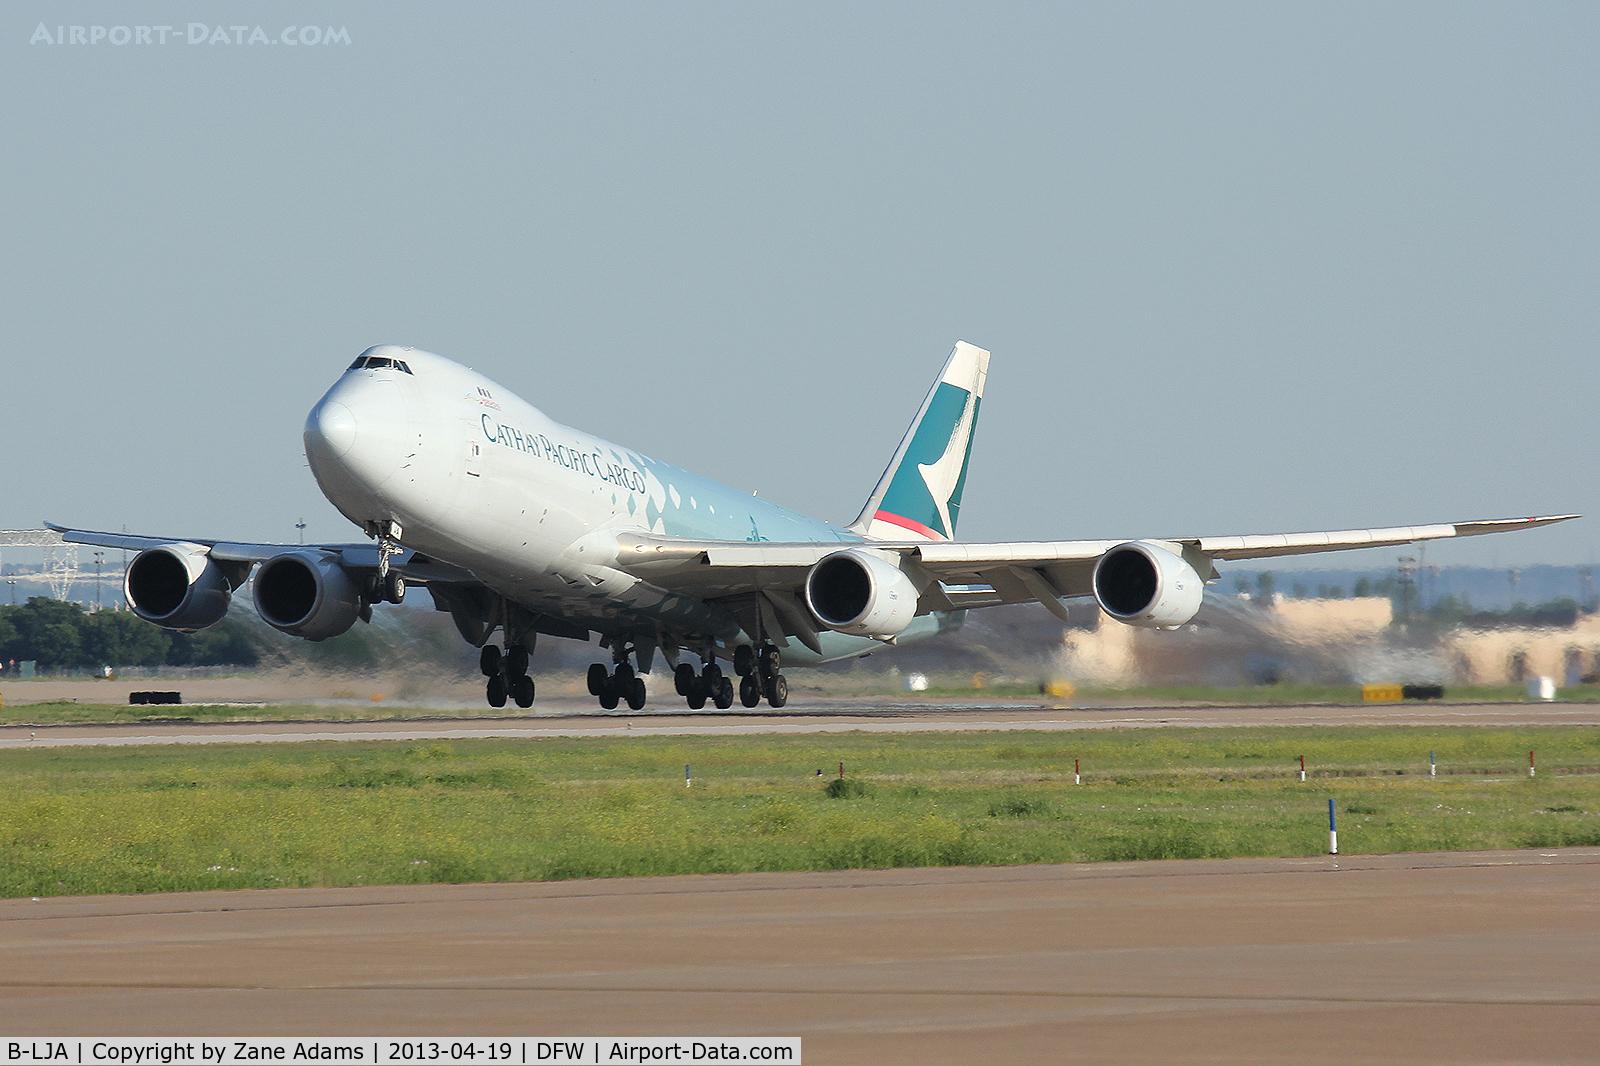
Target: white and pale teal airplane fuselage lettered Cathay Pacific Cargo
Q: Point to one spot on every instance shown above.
(478, 478)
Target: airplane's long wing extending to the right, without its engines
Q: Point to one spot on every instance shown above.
(969, 575)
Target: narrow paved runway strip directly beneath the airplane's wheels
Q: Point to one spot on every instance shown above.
(578, 718)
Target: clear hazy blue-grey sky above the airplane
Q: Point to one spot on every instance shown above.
(1242, 268)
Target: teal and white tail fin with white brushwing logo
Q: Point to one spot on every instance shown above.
(921, 494)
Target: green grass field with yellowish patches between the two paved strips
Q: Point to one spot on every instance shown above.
(164, 819)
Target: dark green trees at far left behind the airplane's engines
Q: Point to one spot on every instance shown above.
(63, 636)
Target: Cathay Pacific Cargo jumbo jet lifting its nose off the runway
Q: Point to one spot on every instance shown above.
(526, 527)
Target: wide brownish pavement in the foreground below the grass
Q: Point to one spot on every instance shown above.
(1465, 958)
